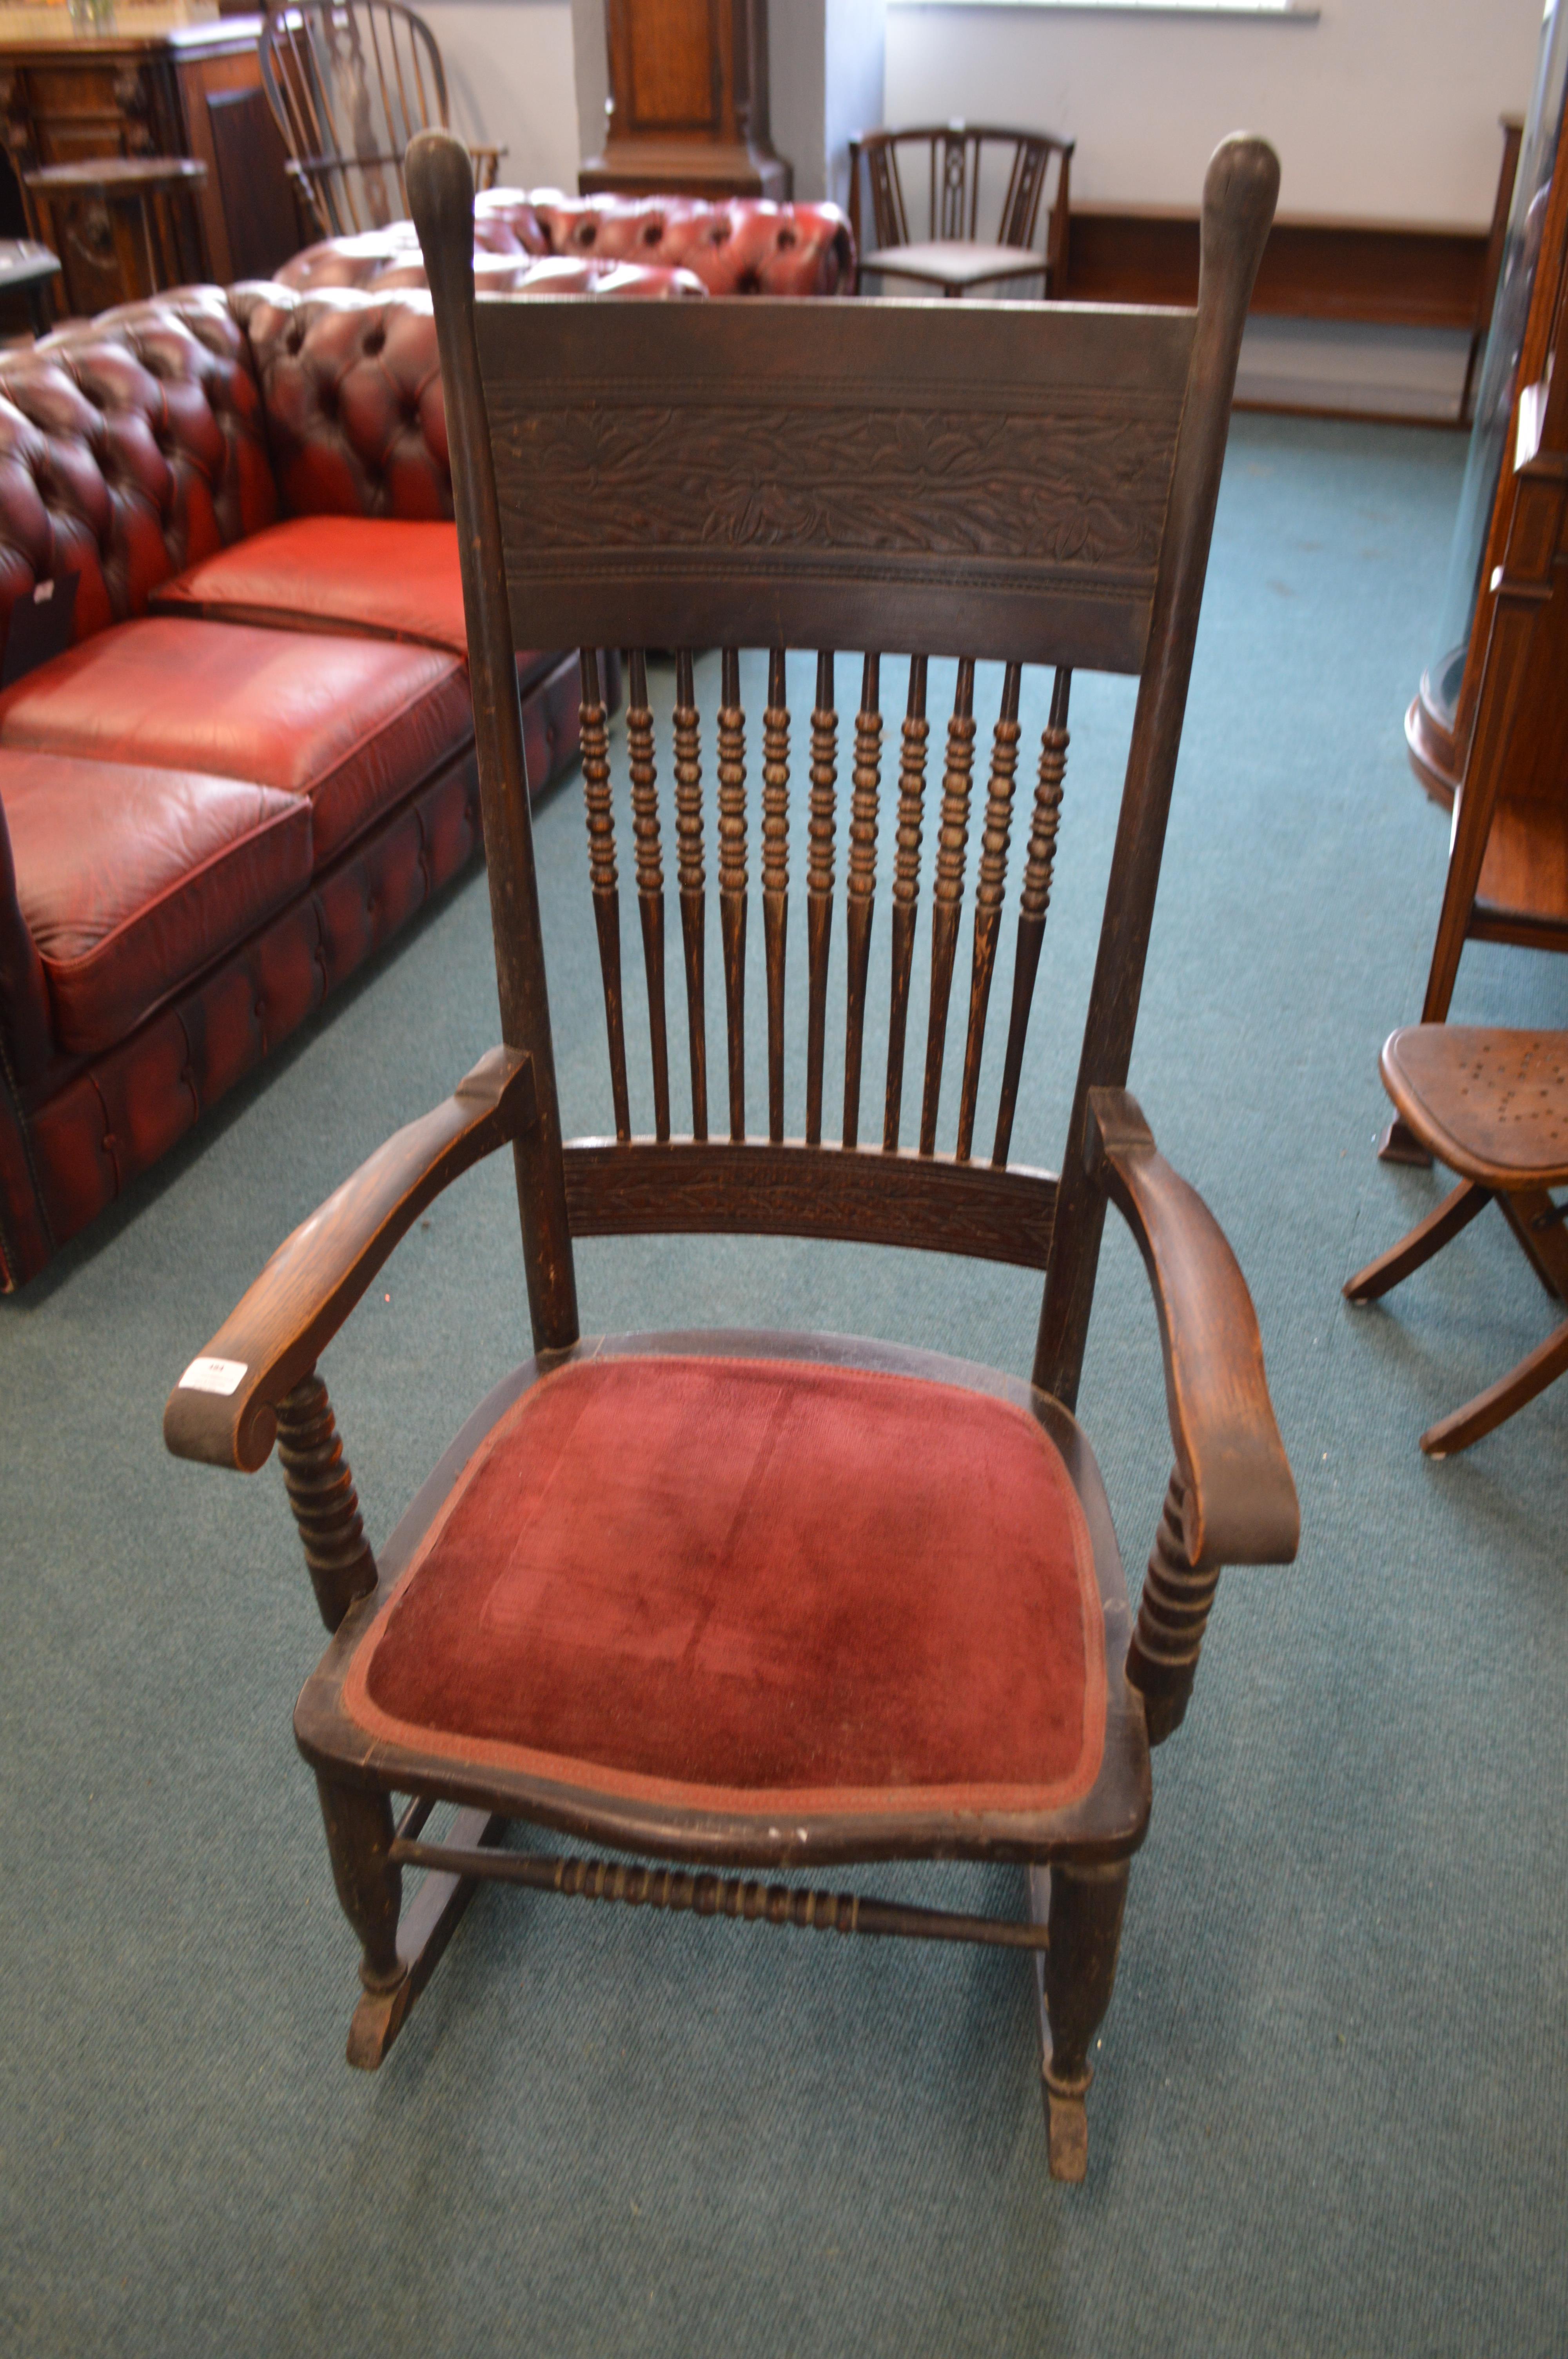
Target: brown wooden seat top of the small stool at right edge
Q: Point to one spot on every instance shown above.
(1489, 1103)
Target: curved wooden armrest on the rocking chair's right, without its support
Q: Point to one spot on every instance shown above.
(1239, 1502)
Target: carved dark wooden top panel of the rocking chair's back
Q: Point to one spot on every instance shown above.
(881, 478)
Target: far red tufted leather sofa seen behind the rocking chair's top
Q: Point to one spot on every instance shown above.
(558, 244)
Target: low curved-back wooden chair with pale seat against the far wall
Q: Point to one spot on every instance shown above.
(958, 157)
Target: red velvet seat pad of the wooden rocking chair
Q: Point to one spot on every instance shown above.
(756, 1586)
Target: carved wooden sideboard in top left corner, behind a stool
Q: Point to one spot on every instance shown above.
(162, 84)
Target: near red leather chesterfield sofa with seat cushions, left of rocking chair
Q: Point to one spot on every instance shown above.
(256, 758)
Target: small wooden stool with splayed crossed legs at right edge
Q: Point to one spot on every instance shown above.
(1494, 1105)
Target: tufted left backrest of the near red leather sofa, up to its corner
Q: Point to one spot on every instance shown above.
(131, 447)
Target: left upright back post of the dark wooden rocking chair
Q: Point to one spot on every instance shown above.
(442, 192)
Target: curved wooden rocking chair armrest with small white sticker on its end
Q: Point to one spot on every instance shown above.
(225, 1405)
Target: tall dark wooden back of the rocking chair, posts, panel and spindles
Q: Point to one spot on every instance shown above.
(1025, 485)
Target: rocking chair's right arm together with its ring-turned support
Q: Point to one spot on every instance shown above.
(1232, 1497)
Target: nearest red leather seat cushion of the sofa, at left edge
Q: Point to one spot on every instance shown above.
(133, 879)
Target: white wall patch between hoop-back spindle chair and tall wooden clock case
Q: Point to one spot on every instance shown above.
(510, 77)
